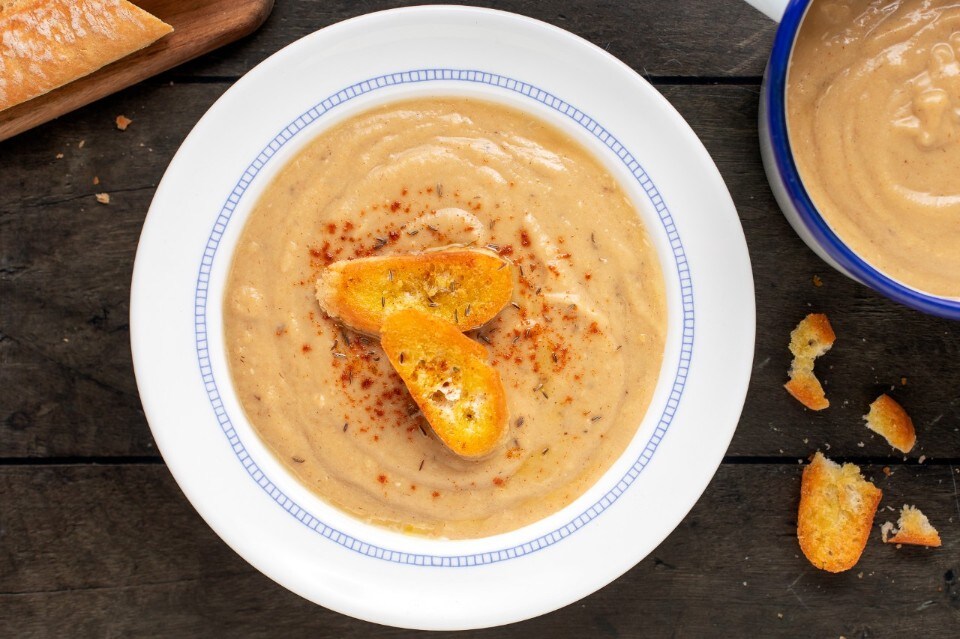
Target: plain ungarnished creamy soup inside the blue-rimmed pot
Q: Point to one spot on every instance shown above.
(873, 106)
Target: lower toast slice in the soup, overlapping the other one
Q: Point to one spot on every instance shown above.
(447, 374)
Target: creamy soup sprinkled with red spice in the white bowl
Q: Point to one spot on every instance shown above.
(579, 349)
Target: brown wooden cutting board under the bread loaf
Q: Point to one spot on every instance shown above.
(199, 26)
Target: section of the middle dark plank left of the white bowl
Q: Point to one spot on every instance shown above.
(65, 268)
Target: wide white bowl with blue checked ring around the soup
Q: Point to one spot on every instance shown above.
(247, 496)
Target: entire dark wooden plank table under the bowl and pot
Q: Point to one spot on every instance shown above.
(97, 540)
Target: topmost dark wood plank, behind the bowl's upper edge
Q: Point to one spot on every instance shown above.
(720, 38)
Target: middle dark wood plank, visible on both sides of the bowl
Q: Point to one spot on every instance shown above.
(65, 265)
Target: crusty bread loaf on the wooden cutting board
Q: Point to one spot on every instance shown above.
(49, 43)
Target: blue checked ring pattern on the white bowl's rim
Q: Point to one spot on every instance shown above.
(232, 201)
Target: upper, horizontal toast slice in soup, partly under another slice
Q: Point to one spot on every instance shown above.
(465, 287)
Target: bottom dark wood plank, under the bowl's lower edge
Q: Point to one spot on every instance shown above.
(118, 551)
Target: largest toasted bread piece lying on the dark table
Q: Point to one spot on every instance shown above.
(837, 506)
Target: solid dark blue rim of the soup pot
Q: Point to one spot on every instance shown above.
(775, 97)
